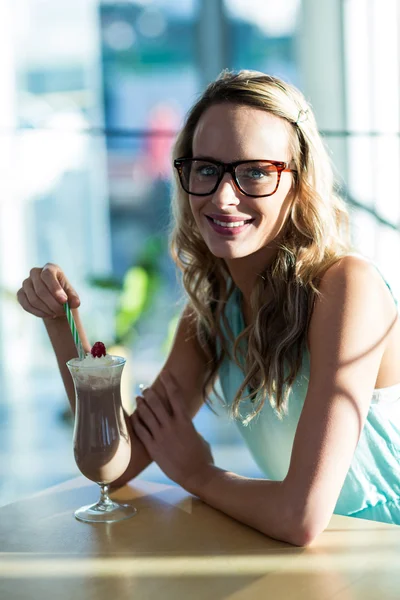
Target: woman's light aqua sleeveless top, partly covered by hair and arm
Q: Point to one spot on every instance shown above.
(372, 486)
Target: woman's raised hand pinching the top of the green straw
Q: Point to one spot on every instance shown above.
(45, 291)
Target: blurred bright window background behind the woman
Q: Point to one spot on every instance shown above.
(92, 95)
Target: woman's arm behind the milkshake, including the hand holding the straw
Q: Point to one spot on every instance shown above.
(43, 294)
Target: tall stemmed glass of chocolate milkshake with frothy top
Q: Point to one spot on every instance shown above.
(102, 445)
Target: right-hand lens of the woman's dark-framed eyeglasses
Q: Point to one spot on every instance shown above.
(257, 178)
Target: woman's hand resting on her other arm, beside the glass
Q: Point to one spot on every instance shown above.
(170, 437)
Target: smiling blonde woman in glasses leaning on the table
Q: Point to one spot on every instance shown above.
(303, 334)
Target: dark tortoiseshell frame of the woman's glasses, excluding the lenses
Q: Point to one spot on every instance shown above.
(280, 166)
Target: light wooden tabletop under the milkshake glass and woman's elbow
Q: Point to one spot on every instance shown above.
(176, 547)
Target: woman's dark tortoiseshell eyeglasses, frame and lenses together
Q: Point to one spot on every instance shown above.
(255, 178)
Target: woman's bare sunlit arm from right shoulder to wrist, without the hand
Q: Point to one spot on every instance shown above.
(347, 338)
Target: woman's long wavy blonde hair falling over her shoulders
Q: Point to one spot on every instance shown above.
(314, 237)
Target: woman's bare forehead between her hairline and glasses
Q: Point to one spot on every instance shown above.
(231, 132)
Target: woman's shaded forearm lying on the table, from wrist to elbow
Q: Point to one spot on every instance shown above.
(259, 503)
